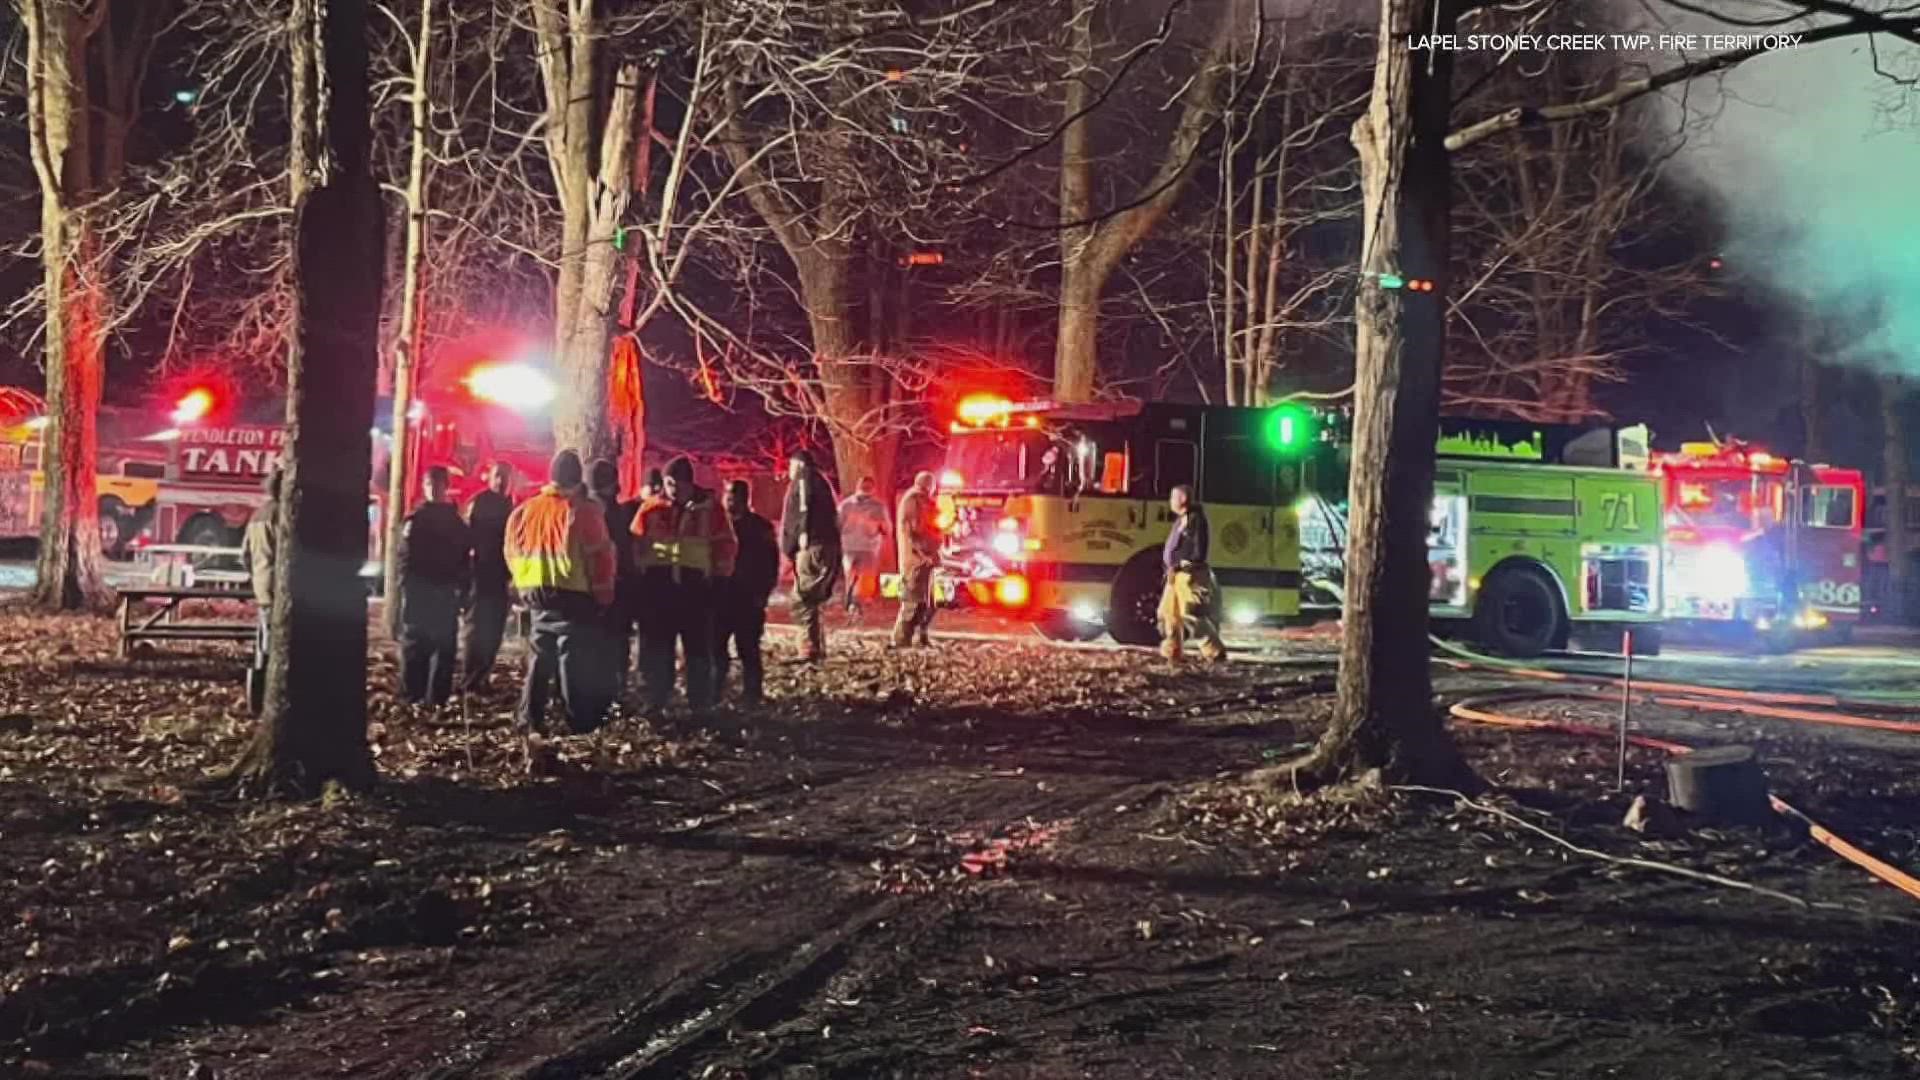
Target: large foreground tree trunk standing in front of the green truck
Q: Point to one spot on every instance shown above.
(1385, 716)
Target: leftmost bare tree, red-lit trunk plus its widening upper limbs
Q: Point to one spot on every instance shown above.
(85, 68)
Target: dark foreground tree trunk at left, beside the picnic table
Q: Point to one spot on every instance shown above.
(316, 714)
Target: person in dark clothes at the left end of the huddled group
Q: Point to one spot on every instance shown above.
(435, 574)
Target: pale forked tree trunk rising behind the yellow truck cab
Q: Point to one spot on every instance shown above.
(1092, 251)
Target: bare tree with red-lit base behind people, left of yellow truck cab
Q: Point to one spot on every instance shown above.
(848, 118)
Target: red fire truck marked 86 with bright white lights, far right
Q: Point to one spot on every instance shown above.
(1762, 545)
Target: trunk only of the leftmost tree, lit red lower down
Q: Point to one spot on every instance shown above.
(62, 124)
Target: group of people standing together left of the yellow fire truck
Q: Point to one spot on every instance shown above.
(679, 570)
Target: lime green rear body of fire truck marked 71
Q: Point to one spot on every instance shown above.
(1539, 535)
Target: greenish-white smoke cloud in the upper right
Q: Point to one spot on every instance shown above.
(1813, 160)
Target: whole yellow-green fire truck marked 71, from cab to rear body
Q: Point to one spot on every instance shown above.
(1059, 514)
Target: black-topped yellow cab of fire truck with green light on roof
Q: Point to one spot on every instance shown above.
(1059, 512)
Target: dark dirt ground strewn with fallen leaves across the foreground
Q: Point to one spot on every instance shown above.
(994, 860)
